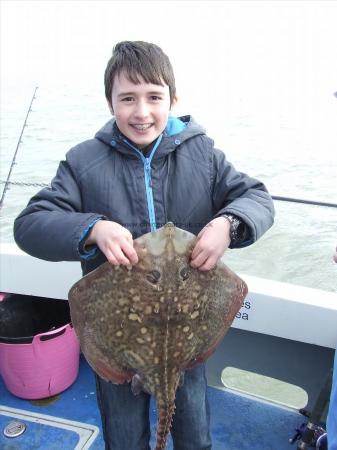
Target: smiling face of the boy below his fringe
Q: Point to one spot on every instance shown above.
(141, 110)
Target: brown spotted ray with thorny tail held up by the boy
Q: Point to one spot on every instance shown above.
(150, 322)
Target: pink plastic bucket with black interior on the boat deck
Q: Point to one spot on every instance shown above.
(42, 365)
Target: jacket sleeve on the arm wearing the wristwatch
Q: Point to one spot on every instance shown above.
(247, 198)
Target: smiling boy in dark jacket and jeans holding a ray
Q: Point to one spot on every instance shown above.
(142, 170)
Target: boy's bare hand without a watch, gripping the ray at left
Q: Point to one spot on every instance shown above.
(114, 241)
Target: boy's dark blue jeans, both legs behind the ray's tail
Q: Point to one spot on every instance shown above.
(125, 417)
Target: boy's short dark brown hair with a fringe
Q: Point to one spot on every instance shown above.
(139, 59)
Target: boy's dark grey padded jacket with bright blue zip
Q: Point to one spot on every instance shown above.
(184, 180)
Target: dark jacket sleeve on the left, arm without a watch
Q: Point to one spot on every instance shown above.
(53, 224)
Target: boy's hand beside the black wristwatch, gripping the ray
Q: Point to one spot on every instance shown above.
(212, 241)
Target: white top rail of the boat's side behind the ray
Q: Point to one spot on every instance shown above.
(271, 307)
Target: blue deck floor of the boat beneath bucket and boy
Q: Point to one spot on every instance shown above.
(237, 422)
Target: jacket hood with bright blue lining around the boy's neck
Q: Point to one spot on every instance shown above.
(178, 130)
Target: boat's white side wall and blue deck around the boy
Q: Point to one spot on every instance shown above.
(278, 336)
